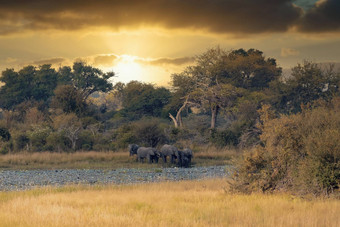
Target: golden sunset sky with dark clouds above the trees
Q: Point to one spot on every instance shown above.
(148, 40)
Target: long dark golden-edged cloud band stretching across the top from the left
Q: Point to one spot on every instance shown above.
(218, 16)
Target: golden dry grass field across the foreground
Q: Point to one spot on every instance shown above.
(191, 203)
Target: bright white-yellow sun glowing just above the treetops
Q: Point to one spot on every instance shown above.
(128, 69)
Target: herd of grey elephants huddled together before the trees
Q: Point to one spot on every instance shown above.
(152, 155)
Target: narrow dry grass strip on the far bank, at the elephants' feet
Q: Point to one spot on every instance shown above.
(96, 160)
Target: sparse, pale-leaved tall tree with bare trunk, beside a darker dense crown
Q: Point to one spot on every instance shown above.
(206, 84)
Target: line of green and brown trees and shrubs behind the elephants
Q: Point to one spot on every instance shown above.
(217, 100)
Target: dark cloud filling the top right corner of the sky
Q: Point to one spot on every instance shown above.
(324, 17)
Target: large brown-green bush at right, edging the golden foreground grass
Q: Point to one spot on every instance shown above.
(301, 153)
